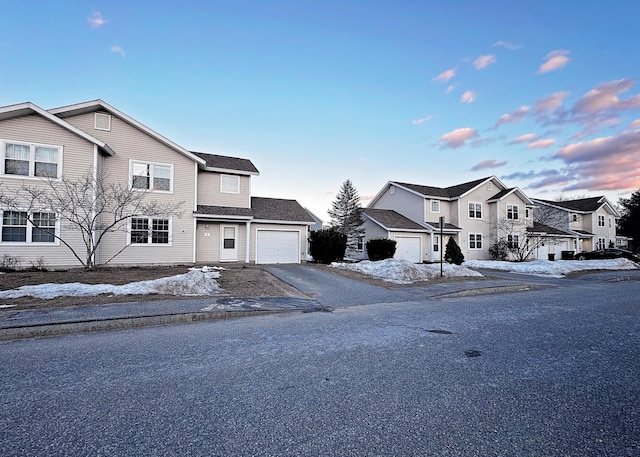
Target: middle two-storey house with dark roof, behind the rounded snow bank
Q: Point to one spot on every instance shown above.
(476, 214)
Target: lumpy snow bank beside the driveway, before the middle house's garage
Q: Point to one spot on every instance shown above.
(405, 272)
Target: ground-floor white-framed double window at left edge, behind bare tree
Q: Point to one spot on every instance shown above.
(17, 227)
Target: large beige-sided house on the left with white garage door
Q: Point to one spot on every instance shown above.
(220, 221)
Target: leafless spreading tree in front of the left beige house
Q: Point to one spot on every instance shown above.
(87, 204)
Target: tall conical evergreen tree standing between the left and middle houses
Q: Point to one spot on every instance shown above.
(346, 214)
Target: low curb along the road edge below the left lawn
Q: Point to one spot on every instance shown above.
(67, 328)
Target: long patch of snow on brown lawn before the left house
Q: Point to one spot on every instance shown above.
(198, 281)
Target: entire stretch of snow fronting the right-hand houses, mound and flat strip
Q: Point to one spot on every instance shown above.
(405, 272)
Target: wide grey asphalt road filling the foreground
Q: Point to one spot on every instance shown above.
(548, 372)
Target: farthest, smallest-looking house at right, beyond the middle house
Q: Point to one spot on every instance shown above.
(590, 223)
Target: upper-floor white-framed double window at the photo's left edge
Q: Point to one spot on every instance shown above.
(27, 159)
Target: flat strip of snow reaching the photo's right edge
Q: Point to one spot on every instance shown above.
(557, 268)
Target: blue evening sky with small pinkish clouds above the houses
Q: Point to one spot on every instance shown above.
(542, 94)
